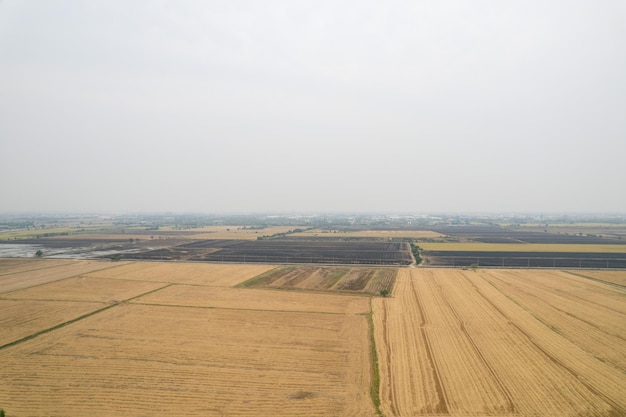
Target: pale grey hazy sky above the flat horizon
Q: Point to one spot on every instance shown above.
(242, 106)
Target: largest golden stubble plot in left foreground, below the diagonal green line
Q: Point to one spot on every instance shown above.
(158, 360)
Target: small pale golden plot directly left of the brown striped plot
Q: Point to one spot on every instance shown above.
(185, 273)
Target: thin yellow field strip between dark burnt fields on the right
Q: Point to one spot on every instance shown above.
(521, 247)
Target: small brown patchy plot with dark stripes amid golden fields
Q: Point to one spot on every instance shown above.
(355, 279)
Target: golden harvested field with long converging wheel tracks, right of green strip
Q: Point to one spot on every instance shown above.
(501, 342)
